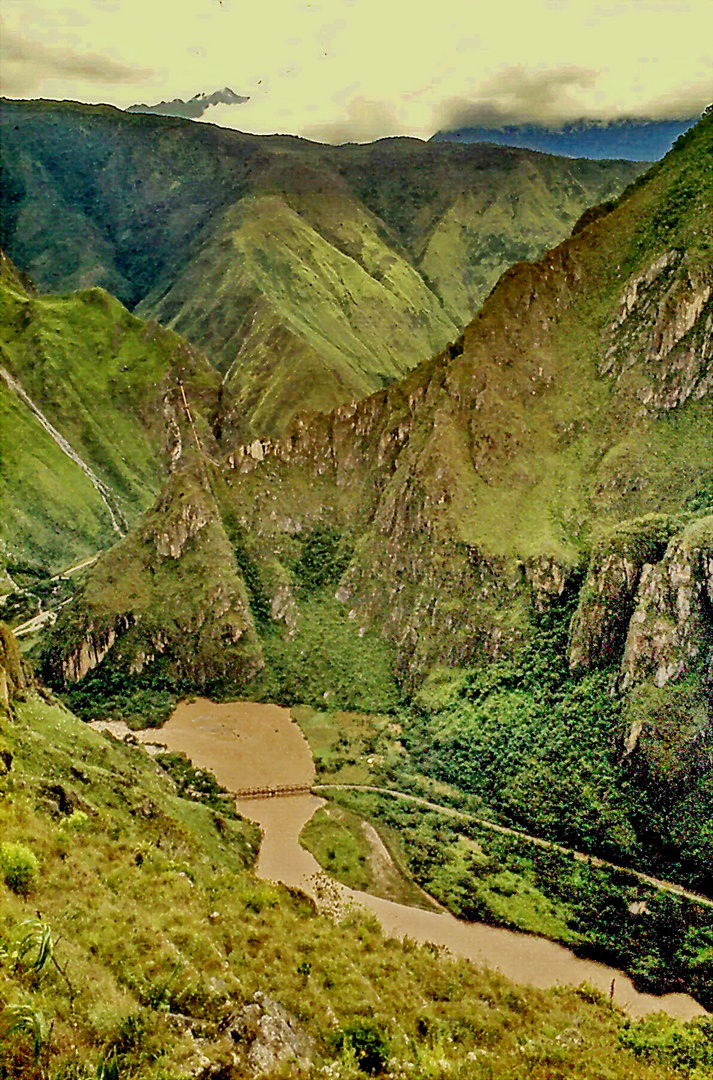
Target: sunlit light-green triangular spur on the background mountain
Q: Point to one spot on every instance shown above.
(354, 312)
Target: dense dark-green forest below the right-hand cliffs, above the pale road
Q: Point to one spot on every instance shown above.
(542, 747)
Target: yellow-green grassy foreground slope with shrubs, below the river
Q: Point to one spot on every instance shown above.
(153, 909)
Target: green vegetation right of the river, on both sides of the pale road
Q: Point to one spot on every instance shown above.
(527, 744)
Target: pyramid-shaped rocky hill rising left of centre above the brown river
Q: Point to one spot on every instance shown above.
(170, 595)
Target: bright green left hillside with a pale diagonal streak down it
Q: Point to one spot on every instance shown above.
(92, 418)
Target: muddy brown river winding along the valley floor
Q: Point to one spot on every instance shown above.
(254, 746)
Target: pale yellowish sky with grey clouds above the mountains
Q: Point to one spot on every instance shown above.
(356, 71)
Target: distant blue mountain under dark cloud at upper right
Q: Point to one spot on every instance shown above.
(601, 140)
